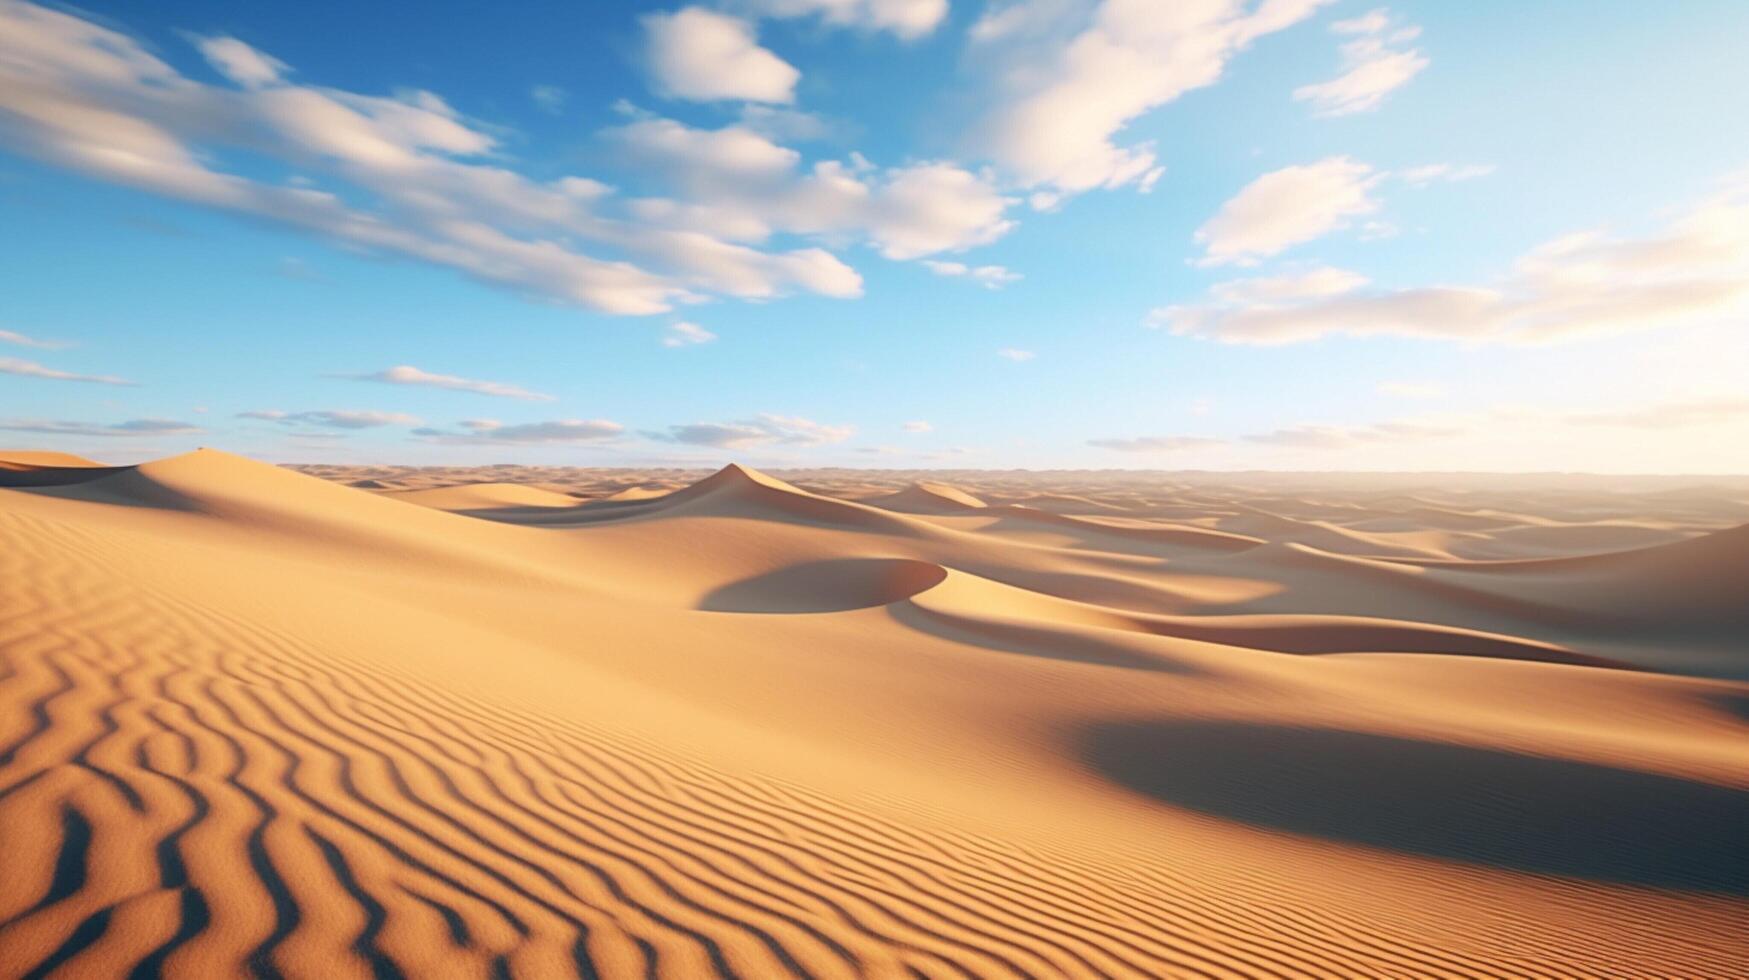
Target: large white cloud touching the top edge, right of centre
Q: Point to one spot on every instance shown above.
(1070, 83)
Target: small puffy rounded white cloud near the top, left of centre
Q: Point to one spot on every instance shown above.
(706, 57)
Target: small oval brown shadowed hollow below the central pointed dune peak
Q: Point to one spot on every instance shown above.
(832, 585)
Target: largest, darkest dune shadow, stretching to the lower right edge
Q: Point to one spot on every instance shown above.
(1437, 801)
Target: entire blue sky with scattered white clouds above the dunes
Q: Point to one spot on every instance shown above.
(944, 234)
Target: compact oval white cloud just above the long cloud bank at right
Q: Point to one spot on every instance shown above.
(1288, 207)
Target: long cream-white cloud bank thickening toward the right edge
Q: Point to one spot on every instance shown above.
(1577, 286)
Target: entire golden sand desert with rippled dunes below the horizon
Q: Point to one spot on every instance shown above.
(547, 724)
